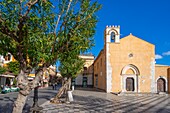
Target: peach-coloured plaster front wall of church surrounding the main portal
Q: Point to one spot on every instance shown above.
(142, 57)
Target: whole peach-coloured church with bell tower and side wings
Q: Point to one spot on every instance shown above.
(128, 65)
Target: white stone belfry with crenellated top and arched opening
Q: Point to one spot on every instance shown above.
(112, 34)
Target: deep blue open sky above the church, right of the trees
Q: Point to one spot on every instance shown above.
(146, 19)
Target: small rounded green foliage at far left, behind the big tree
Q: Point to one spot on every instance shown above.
(13, 67)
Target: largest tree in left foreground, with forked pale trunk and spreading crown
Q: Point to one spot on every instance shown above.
(40, 31)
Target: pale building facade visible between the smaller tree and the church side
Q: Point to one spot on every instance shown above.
(85, 78)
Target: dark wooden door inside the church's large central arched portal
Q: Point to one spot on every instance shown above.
(130, 84)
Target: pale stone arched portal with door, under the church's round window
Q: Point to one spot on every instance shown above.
(129, 78)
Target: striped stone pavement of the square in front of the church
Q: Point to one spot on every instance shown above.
(91, 101)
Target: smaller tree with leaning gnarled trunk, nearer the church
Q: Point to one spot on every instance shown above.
(70, 66)
